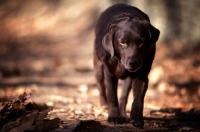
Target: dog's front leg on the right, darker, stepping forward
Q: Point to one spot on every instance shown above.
(139, 89)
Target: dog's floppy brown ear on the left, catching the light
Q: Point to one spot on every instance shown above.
(107, 42)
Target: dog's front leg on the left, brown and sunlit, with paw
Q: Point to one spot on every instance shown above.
(111, 82)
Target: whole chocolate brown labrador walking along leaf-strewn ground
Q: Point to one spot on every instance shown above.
(124, 49)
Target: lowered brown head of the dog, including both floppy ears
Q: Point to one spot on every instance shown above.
(130, 40)
